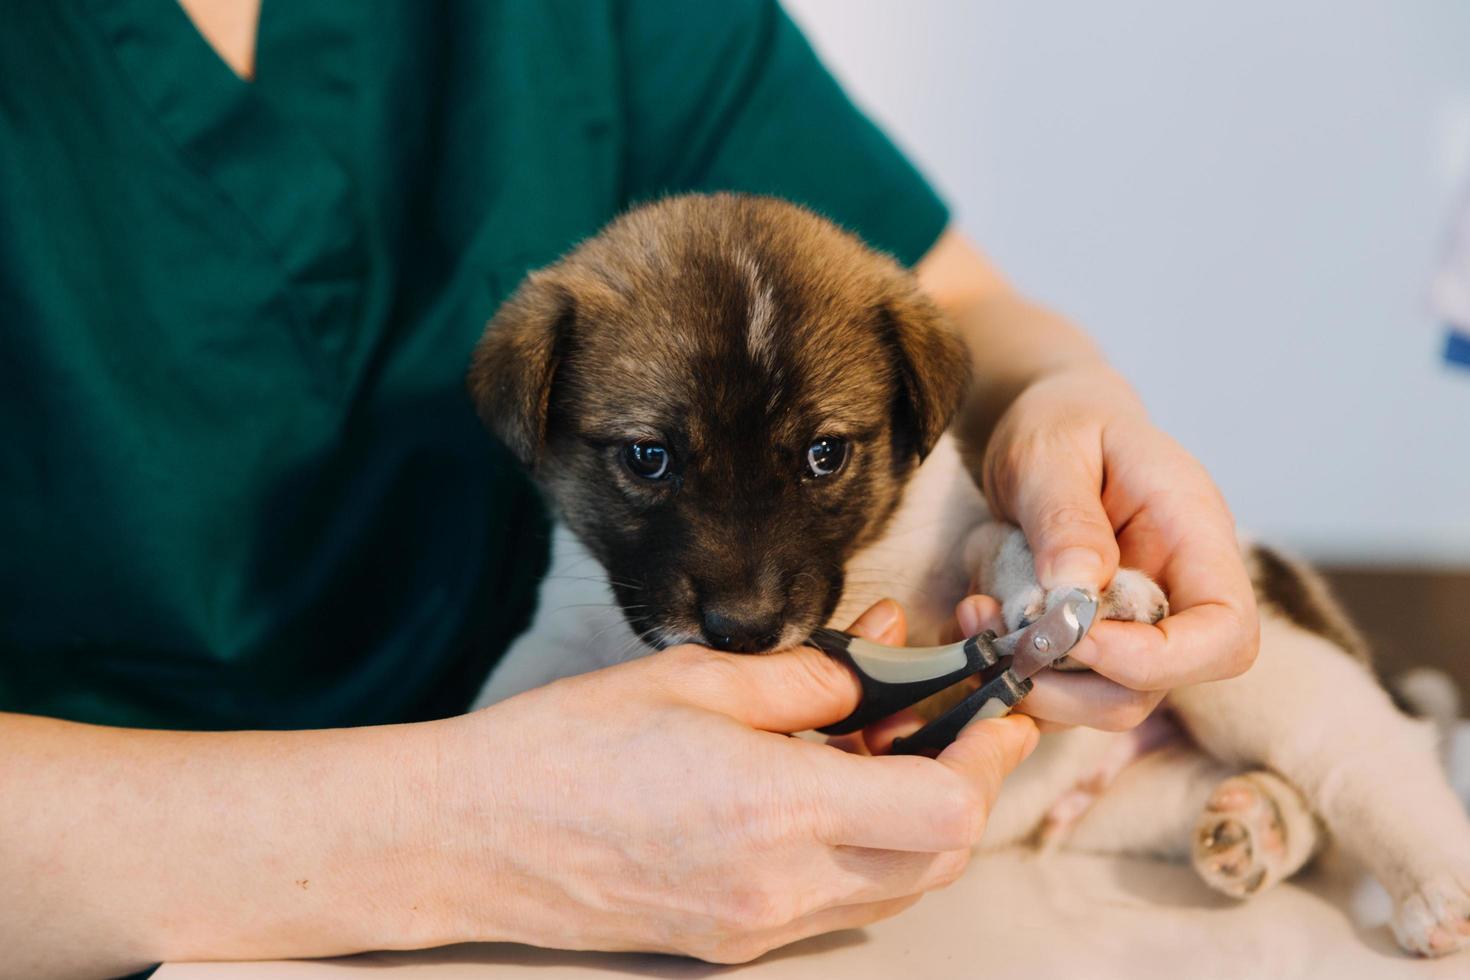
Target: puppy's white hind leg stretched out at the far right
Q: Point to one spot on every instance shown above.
(1318, 719)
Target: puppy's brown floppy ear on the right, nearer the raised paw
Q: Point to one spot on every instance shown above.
(933, 368)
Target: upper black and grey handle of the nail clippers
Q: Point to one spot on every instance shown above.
(896, 678)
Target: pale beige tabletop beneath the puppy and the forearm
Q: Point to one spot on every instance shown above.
(1015, 915)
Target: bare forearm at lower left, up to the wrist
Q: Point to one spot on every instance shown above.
(124, 847)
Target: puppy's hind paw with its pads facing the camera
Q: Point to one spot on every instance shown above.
(1244, 840)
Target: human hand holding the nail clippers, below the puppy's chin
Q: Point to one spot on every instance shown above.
(658, 806)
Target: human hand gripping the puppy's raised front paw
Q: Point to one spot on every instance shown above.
(1077, 464)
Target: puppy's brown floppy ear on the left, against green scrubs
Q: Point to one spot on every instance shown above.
(517, 362)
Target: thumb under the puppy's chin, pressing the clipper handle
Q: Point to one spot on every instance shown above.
(792, 691)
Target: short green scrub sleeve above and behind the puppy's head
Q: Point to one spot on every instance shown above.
(728, 96)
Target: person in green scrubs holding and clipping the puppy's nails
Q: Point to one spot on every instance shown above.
(258, 552)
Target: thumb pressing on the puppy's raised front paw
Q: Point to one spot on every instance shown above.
(1061, 509)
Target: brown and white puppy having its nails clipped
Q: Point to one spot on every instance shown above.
(739, 414)
